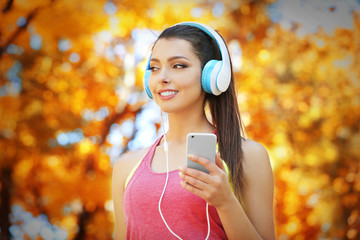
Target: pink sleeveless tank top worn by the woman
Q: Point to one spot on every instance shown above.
(184, 212)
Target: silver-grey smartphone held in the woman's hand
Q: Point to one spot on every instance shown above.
(201, 144)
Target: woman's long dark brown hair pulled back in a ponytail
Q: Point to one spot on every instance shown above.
(224, 108)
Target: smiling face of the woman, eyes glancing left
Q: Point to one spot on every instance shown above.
(175, 80)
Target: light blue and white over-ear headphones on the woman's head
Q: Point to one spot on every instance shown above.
(216, 75)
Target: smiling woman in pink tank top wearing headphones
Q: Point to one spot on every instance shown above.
(239, 191)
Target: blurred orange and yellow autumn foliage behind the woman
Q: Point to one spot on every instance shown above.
(71, 102)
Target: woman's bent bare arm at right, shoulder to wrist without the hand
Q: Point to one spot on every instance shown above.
(258, 221)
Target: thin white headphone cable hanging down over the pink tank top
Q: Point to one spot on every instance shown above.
(166, 149)
